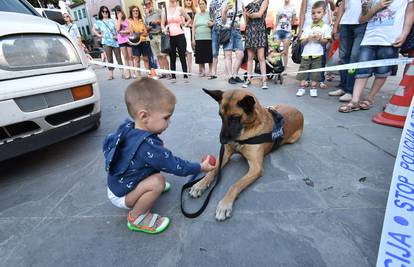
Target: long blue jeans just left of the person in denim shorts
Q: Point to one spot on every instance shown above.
(349, 44)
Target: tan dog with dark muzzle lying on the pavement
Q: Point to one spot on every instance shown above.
(243, 117)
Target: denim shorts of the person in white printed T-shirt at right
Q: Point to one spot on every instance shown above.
(375, 52)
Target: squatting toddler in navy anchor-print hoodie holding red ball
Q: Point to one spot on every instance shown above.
(135, 155)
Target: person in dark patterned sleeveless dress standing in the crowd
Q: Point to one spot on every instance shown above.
(256, 38)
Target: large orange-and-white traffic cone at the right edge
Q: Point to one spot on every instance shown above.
(396, 110)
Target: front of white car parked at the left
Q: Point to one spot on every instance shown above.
(47, 90)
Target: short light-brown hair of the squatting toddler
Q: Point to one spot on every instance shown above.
(147, 93)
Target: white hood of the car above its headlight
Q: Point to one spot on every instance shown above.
(15, 23)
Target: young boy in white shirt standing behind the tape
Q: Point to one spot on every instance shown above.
(314, 37)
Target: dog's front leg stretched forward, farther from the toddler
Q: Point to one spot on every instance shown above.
(225, 206)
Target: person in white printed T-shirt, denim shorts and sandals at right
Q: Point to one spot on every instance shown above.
(389, 23)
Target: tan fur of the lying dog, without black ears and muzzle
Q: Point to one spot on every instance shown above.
(261, 121)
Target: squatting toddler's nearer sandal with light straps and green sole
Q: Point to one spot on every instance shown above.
(151, 228)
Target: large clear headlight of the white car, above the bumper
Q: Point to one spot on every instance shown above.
(31, 51)
